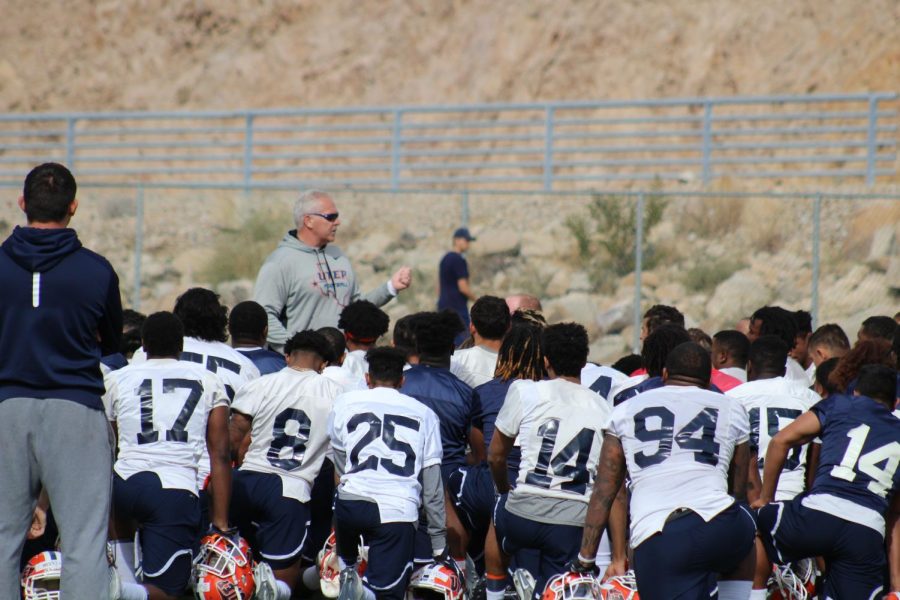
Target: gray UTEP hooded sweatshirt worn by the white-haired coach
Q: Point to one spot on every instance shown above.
(302, 287)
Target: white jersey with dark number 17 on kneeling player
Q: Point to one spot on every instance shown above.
(161, 408)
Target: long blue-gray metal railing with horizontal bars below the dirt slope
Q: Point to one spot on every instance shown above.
(540, 146)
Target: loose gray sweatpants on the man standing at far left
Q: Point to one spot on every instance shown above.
(65, 447)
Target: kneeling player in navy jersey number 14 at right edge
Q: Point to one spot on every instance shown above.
(842, 517)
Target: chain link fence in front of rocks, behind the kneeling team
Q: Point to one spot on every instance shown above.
(597, 258)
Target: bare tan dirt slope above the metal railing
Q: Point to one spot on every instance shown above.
(135, 54)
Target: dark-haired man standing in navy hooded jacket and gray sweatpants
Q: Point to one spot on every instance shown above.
(60, 311)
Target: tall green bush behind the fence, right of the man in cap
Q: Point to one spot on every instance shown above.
(605, 236)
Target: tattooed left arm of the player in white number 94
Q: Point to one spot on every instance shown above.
(610, 475)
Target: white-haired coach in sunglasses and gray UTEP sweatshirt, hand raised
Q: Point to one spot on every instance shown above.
(307, 281)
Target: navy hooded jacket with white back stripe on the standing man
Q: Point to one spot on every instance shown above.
(60, 310)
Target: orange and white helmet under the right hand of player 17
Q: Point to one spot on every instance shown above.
(224, 569)
